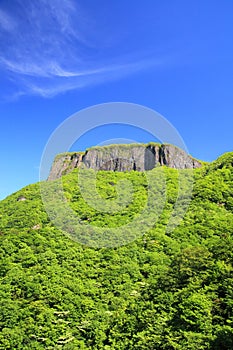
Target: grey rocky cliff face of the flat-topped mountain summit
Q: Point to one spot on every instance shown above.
(129, 157)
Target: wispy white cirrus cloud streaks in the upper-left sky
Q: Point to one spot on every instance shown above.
(48, 47)
